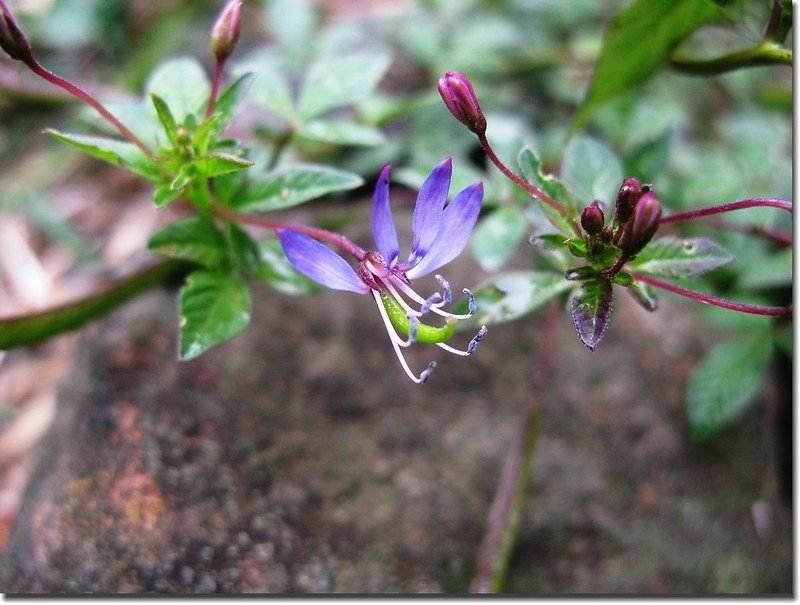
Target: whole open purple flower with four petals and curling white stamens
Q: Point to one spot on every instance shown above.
(440, 232)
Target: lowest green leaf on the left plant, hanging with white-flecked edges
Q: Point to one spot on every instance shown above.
(215, 306)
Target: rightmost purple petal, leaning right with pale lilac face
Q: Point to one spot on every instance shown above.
(458, 221)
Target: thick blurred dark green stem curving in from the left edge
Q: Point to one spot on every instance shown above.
(29, 329)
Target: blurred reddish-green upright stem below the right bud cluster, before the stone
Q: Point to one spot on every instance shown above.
(503, 522)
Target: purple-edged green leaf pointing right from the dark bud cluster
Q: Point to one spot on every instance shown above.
(680, 258)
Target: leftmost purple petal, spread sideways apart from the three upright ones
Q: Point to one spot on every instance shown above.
(318, 262)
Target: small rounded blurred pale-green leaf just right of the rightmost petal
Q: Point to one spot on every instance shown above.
(496, 238)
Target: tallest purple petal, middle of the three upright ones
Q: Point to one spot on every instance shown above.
(428, 211)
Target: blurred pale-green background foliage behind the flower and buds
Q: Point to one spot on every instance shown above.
(699, 140)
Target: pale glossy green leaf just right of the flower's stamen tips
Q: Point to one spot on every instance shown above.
(510, 295)
